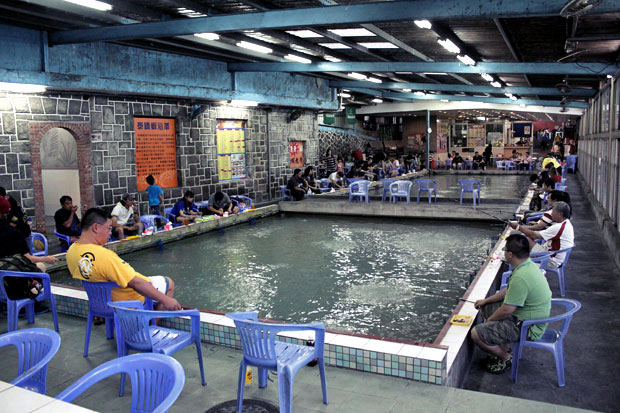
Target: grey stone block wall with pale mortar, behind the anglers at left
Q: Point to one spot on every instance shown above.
(113, 159)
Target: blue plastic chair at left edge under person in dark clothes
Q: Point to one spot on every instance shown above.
(14, 306)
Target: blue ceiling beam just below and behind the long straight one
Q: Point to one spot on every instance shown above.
(444, 87)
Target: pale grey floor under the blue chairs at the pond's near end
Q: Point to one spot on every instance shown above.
(348, 391)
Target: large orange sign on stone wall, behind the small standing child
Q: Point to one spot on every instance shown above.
(156, 152)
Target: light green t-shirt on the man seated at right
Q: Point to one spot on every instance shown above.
(529, 291)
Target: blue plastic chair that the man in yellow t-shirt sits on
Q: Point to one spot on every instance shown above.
(99, 294)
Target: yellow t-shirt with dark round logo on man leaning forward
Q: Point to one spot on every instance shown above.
(90, 262)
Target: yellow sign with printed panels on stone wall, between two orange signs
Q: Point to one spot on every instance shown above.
(231, 162)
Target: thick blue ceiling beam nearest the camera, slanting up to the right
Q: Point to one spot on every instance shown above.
(326, 15)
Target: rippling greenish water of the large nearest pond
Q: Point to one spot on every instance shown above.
(384, 277)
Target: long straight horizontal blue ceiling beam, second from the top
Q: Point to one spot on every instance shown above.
(444, 67)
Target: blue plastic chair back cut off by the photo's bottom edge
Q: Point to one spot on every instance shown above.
(156, 381)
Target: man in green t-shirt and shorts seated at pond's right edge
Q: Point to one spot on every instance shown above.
(527, 297)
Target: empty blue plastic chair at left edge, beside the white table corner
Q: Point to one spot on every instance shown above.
(35, 349)
